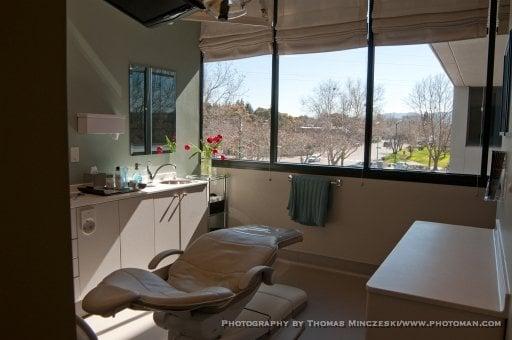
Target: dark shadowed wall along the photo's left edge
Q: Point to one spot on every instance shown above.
(37, 290)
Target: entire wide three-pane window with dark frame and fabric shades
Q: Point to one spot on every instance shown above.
(414, 104)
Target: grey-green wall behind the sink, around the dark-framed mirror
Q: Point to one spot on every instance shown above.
(102, 42)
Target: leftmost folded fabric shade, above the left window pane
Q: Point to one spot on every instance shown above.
(226, 41)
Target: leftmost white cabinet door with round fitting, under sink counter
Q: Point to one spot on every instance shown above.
(98, 244)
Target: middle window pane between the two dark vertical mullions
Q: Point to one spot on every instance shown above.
(322, 107)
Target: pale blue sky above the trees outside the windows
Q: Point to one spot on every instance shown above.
(397, 69)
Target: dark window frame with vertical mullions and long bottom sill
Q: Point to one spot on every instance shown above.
(366, 171)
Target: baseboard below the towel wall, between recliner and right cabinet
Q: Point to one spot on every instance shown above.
(353, 267)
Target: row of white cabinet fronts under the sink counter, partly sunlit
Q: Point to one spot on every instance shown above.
(128, 232)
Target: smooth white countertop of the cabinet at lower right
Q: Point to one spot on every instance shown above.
(443, 264)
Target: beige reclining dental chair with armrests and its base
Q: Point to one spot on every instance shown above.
(217, 279)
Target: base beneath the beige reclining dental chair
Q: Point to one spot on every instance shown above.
(267, 313)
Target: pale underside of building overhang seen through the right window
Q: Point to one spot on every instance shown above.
(465, 61)
